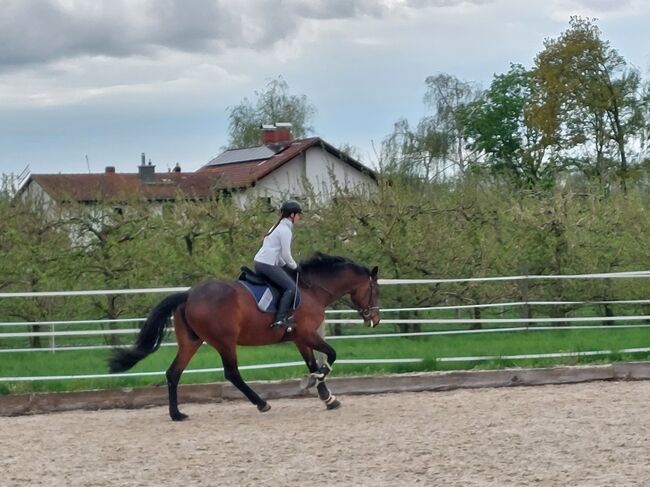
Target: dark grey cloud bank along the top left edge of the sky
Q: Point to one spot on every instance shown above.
(41, 31)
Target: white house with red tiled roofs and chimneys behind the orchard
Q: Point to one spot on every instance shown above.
(277, 169)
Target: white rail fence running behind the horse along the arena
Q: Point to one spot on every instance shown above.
(628, 322)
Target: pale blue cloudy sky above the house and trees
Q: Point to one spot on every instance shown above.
(86, 84)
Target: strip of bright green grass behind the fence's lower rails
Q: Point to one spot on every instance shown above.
(428, 348)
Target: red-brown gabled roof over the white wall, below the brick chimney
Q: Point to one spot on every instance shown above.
(242, 174)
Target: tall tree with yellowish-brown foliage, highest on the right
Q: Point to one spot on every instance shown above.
(588, 100)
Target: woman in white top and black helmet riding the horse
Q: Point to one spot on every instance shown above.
(275, 254)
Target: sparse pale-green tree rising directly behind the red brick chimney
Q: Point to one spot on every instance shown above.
(273, 104)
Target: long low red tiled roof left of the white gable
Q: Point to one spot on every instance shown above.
(114, 186)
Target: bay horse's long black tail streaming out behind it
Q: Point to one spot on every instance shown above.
(150, 337)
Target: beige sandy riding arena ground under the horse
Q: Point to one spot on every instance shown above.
(594, 434)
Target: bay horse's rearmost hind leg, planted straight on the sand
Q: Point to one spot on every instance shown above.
(188, 344)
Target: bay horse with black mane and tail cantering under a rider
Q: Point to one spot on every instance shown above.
(224, 315)
